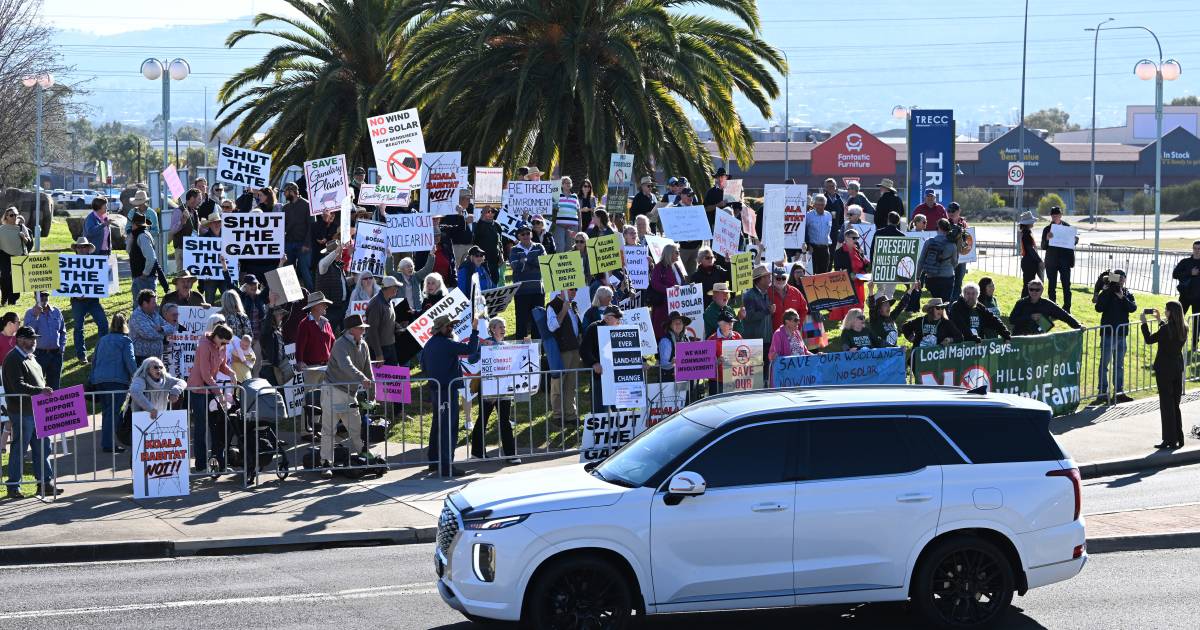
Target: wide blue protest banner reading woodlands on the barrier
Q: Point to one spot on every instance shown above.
(872, 367)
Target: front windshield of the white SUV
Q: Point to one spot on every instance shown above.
(638, 461)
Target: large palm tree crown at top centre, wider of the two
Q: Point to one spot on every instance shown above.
(569, 82)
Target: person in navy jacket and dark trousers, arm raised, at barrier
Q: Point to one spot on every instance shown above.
(440, 362)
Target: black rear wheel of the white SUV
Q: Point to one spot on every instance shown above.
(964, 583)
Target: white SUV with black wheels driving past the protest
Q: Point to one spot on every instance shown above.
(814, 496)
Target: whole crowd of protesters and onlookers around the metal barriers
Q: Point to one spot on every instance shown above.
(338, 349)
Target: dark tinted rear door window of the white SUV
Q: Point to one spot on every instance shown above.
(856, 447)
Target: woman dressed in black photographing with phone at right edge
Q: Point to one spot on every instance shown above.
(1171, 338)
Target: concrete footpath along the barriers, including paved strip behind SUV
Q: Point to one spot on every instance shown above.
(100, 520)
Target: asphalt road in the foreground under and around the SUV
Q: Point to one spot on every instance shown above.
(393, 589)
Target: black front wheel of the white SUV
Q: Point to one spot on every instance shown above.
(580, 593)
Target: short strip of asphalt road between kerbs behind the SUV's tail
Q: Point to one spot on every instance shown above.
(1145, 489)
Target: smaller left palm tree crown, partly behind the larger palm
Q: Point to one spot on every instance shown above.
(313, 93)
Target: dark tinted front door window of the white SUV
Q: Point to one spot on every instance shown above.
(751, 457)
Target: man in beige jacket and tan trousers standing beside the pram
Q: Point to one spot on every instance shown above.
(349, 369)
